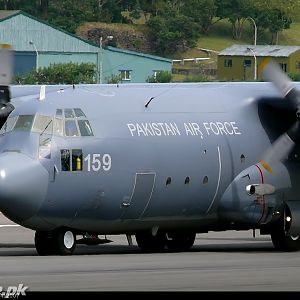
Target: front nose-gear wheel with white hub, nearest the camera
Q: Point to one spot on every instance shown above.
(65, 241)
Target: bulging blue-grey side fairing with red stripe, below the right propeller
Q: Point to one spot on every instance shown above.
(255, 195)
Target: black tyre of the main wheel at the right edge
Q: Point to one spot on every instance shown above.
(281, 240)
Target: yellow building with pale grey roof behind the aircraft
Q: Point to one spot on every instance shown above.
(241, 62)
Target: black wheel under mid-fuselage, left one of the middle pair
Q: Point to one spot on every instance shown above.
(149, 243)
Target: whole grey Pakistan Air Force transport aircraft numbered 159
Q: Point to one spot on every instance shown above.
(158, 161)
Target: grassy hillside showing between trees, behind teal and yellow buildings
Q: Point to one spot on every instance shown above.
(134, 37)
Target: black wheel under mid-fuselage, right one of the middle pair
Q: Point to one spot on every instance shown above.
(180, 241)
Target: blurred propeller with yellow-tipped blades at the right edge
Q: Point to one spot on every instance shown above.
(286, 142)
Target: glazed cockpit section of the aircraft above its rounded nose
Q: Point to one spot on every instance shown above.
(67, 123)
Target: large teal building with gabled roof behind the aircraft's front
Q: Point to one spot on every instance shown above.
(38, 44)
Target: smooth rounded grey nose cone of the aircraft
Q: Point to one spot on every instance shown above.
(23, 186)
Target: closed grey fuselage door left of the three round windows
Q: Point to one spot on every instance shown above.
(135, 205)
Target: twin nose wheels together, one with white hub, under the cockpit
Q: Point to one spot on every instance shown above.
(61, 241)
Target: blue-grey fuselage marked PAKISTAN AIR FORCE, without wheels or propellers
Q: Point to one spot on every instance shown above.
(122, 167)
